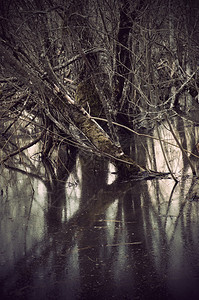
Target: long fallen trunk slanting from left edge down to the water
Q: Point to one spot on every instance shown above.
(62, 111)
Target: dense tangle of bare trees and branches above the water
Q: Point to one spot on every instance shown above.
(82, 74)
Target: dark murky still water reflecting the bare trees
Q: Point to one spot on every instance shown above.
(94, 237)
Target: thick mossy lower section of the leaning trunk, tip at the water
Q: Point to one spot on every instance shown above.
(100, 141)
